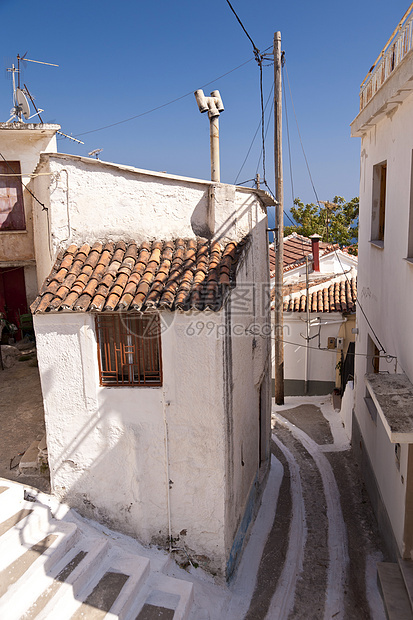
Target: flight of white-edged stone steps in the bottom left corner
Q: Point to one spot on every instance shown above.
(56, 565)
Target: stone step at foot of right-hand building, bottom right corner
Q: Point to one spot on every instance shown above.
(394, 593)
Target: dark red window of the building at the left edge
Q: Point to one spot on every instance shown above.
(11, 197)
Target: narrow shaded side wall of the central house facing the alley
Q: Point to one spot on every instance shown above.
(247, 366)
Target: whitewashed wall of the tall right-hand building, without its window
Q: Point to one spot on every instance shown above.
(385, 285)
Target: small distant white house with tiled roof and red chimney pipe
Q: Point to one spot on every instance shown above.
(315, 366)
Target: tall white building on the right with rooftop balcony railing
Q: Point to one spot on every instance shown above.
(383, 421)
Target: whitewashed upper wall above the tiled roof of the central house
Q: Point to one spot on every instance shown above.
(91, 200)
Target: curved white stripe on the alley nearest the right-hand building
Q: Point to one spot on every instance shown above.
(337, 535)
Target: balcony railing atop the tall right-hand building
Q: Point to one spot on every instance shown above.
(396, 48)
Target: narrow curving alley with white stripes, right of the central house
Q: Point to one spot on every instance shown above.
(319, 560)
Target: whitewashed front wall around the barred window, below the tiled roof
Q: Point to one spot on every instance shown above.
(107, 449)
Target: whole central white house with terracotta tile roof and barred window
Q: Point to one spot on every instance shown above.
(153, 348)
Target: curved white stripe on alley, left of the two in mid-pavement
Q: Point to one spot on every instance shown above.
(282, 602)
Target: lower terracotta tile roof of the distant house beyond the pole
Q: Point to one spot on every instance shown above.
(340, 296)
